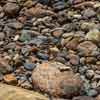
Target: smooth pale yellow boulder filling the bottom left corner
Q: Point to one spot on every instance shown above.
(11, 92)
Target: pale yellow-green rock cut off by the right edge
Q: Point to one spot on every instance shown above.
(93, 35)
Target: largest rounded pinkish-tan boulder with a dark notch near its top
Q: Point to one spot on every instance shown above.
(56, 79)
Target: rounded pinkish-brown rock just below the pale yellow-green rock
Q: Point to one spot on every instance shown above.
(87, 48)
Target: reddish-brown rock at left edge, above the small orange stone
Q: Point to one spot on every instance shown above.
(4, 66)
